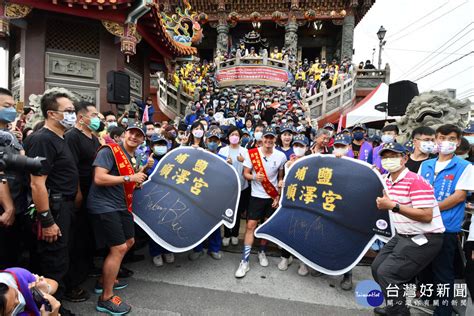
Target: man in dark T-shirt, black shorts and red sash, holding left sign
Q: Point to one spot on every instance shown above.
(116, 174)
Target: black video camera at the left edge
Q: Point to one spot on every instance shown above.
(11, 161)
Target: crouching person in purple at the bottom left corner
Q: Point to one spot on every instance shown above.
(23, 293)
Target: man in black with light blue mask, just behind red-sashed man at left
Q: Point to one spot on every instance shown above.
(83, 145)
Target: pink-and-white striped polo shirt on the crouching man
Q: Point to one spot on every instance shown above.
(413, 191)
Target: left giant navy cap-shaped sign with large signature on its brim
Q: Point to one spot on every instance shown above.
(190, 194)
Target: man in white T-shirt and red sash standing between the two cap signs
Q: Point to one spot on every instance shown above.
(263, 166)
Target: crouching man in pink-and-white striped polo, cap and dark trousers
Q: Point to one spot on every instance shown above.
(417, 220)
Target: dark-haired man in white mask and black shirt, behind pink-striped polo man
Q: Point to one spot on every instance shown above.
(424, 145)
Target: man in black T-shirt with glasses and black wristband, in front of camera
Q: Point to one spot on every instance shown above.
(54, 188)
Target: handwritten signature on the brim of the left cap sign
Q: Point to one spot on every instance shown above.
(167, 216)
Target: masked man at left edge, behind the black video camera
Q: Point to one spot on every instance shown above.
(12, 193)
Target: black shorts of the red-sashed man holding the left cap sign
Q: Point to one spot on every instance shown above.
(113, 228)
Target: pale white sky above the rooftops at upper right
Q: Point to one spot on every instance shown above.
(422, 36)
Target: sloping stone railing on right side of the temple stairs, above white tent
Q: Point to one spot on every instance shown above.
(328, 101)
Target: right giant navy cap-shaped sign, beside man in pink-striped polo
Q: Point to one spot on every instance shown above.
(328, 216)
